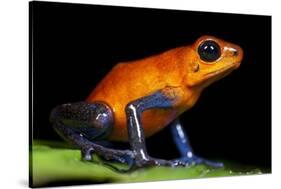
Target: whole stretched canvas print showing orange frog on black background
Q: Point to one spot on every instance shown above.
(116, 90)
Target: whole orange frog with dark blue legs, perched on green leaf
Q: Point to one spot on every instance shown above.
(137, 99)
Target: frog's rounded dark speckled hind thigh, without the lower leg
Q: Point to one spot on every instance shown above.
(92, 120)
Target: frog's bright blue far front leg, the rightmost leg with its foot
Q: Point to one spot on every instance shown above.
(184, 147)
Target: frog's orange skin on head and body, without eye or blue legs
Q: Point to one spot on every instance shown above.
(175, 68)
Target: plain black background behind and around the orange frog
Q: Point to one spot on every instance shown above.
(73, 46)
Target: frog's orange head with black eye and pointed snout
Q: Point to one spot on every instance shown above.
(211, 60)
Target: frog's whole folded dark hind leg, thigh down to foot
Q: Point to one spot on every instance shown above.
(82, 122)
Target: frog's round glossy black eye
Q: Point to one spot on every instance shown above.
(209, 51)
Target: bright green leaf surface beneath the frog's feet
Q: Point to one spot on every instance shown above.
(52, 162)
